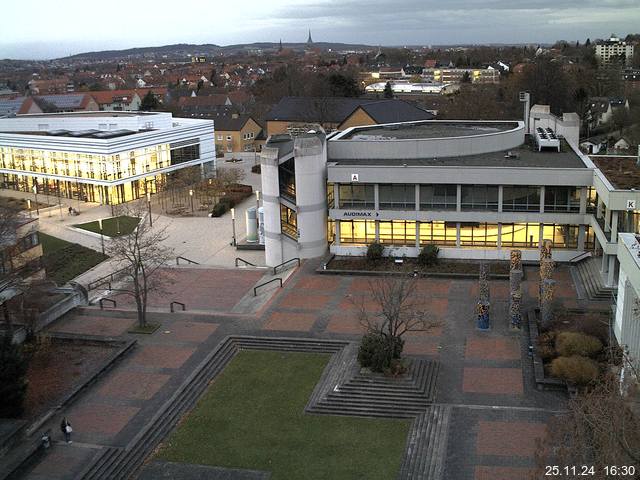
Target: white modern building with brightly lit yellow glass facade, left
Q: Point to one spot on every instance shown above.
(104, 157)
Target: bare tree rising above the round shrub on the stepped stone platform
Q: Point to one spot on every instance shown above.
(399, 310)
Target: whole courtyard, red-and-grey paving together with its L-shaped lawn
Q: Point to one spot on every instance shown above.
(494, 413)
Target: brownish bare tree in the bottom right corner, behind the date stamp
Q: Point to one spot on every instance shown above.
(600, 428)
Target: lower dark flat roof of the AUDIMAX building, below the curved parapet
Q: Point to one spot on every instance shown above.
(526, 155)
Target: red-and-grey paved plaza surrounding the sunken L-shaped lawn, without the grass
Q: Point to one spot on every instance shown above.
(486, 377)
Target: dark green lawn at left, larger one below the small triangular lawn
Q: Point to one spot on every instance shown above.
(64, 261)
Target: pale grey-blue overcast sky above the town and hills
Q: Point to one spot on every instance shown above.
(50, 29)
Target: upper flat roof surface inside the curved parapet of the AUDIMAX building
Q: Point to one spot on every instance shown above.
(427, 129)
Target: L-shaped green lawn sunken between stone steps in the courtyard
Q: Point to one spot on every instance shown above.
(253, 417)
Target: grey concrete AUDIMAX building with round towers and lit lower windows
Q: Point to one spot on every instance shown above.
(477, 189)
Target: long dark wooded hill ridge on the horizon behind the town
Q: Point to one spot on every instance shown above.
(185, 49)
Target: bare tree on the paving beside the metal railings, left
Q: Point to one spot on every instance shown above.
(142, 254)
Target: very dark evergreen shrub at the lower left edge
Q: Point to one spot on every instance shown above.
(13, 379)
